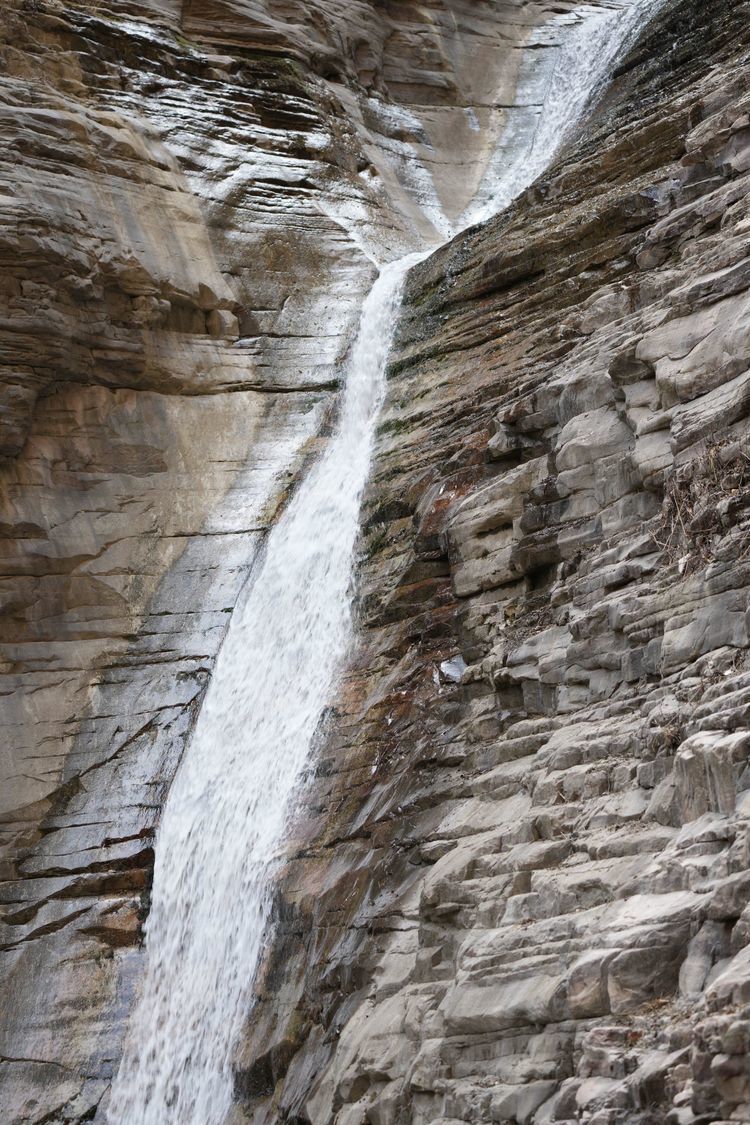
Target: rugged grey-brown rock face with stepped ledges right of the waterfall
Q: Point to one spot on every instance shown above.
(519, 892)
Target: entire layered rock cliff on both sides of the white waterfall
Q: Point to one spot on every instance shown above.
(519, 889)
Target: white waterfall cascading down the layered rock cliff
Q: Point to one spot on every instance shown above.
(227, 814)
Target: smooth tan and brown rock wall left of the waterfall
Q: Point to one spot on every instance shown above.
(193, 195)
